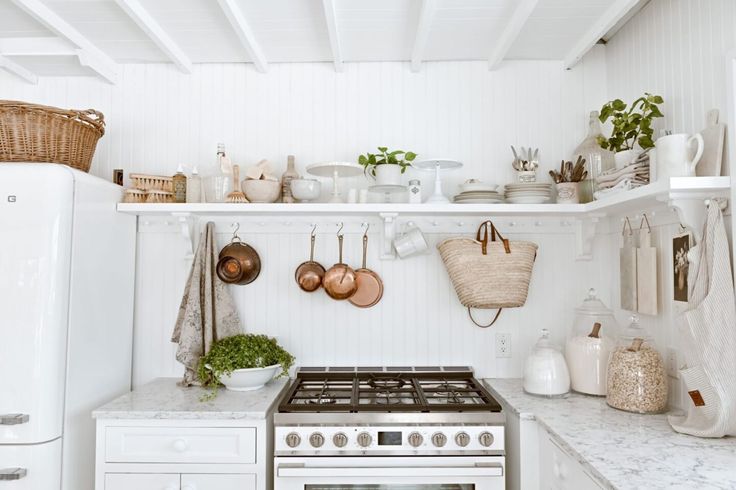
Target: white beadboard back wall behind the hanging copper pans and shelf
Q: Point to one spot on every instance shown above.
(158, 118)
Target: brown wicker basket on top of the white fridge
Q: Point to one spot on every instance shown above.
(37, 133)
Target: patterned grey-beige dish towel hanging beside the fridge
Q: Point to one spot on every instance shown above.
(207, 311)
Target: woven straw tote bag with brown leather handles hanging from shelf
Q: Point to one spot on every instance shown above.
(489, 274)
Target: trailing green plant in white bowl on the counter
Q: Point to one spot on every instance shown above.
(244, 362)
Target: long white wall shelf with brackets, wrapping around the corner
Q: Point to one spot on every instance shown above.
(686, 195)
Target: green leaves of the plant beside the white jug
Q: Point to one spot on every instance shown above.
(630, 126)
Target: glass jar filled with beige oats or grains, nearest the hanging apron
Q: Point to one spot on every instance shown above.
(637, 381)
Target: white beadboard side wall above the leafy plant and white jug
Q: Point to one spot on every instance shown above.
(678, 49)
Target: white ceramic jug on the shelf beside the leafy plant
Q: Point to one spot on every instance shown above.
(676, 156)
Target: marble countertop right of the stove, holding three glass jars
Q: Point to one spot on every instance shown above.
(624, 450)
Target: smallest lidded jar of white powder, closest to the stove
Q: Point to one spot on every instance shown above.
(545, 370)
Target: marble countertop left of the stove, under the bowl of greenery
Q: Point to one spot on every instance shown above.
(162, 398)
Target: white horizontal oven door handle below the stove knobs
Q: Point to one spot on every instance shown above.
(301, 471)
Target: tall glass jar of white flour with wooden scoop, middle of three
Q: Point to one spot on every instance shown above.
(589, 346)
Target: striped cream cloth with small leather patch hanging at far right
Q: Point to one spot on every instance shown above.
(708, 333)
